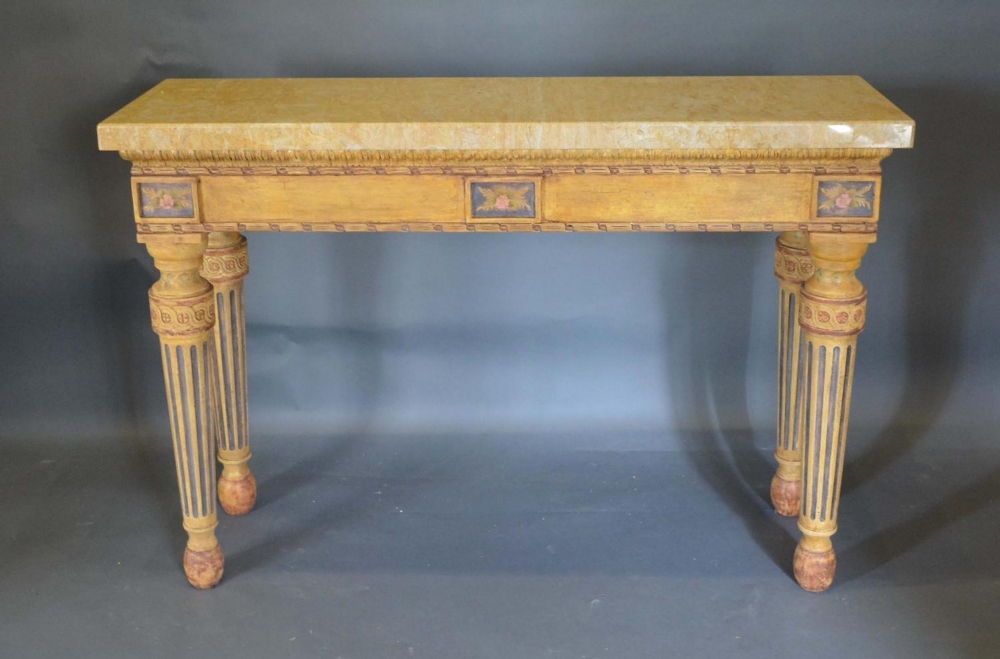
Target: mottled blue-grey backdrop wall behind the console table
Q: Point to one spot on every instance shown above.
(388, 333)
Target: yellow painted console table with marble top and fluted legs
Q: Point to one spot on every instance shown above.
(214, 158)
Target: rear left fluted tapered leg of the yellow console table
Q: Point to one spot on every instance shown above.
(225, 266)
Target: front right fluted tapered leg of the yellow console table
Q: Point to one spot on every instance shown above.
(832, 314)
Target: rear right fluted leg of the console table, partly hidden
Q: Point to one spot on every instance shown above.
(792, 266)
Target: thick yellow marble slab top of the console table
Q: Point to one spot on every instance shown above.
(347, 114)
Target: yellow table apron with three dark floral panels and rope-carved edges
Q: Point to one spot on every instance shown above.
(706, 202)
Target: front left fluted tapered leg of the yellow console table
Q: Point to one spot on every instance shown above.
(183, 314)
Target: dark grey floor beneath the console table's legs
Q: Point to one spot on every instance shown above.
(494, 546)
